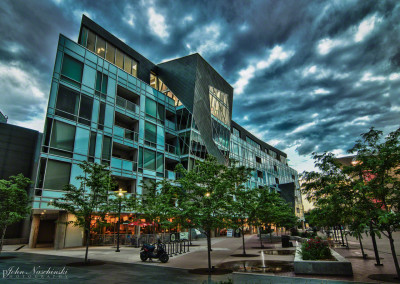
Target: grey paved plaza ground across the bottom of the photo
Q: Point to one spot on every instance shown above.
(126, 267)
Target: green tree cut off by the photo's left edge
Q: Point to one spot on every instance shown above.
(14, 202)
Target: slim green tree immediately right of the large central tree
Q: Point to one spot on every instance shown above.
(244, 200)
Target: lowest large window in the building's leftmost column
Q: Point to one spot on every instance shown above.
(57, 175)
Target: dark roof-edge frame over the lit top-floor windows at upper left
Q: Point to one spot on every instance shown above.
(144, 65)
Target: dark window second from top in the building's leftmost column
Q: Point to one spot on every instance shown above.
(67, 103)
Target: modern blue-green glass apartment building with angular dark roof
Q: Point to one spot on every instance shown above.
(108, 104)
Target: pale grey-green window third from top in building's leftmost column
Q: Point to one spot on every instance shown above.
(62, 139)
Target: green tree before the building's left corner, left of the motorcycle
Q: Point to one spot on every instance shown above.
(89, 200)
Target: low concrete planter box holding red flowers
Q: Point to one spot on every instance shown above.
(320, 267)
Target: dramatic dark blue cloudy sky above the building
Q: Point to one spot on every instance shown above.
(308, 75)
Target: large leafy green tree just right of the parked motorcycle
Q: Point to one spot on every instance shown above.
(204, 196)
